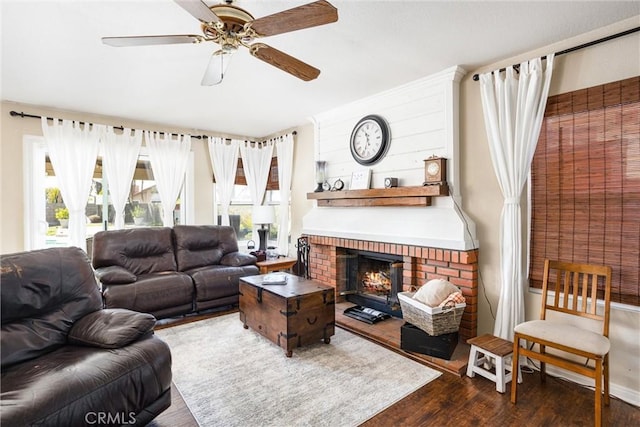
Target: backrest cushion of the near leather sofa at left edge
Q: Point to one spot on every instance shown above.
(43, 293)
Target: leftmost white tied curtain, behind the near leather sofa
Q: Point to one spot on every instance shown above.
(73, 149)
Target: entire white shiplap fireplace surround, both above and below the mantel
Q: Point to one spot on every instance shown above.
(423, 117)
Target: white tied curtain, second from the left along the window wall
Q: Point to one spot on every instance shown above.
(119, 164)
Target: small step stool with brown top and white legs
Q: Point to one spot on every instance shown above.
(487, 350)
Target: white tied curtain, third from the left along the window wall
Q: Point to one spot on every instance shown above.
(169, 160)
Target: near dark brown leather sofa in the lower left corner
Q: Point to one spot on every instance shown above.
(65, 360)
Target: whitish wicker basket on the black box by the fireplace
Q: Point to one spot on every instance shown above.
(432, 320)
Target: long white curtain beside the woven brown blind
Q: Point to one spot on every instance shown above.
(513, 112)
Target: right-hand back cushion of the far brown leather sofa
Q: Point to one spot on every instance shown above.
(203, 245)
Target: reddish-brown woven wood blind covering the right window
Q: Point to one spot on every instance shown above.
(586, 184)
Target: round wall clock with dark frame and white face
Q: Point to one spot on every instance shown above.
(370, 140)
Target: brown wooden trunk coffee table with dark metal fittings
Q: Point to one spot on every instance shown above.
(292, 315)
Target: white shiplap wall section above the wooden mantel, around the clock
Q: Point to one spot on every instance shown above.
(419, 117)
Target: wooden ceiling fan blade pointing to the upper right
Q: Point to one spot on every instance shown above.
(305, 16)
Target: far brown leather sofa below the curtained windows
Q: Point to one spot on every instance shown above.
(170, 271)
